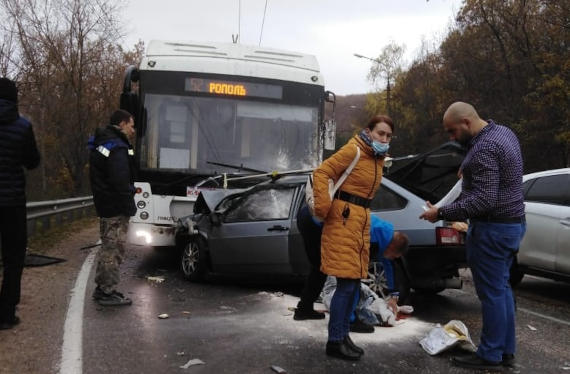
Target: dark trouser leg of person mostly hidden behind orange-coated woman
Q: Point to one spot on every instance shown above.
(311, 233)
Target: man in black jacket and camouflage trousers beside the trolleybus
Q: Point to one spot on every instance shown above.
(111, 172)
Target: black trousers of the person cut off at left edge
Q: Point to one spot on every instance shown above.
(13, 231)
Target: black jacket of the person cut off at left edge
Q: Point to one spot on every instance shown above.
(17, 150)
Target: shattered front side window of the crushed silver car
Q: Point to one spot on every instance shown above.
(267, 204)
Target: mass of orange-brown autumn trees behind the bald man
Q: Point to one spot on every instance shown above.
(511, 59)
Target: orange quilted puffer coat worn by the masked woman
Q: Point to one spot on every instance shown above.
(345, 243)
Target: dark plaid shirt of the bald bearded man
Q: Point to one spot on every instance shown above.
(492, 177)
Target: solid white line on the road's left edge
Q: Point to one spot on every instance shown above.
(72, 349)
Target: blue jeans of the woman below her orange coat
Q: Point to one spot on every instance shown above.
(341, 308)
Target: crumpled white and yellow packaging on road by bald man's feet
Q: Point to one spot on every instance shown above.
(441, 338)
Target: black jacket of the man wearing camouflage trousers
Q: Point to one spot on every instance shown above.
(111, 171)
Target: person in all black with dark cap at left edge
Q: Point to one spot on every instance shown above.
(17, 150)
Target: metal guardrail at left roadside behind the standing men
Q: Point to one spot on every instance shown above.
(43, 214)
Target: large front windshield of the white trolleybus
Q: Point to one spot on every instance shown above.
(208, 135)
